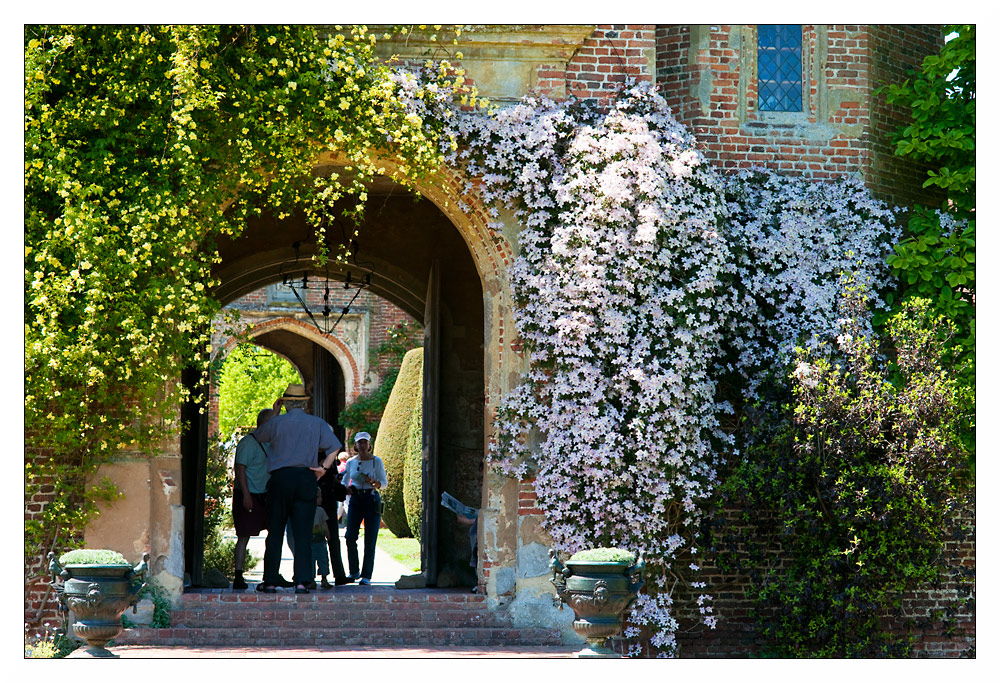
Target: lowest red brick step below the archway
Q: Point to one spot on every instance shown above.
(273, 635)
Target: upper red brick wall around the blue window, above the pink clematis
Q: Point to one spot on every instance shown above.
(848, 136)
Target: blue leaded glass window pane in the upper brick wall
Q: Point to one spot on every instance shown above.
(779, 67)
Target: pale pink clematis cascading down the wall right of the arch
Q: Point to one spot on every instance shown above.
(643, 277)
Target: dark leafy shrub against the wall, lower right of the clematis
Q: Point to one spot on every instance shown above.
(857, 493)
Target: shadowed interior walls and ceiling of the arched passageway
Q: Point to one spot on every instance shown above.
(420, 260)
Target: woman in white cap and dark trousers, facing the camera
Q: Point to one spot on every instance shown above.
(363, 477)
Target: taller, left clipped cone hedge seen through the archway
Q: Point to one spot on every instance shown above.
(393, 439)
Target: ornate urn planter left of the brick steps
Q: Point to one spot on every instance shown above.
(97, 586)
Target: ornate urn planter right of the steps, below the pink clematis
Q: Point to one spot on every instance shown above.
(598, 585)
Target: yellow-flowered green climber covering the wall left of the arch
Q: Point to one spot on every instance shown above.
(143, 146)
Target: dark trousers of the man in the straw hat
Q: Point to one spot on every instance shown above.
(291, 494)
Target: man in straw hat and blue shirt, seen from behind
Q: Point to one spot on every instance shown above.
(295, 438)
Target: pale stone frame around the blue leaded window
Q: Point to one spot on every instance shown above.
(814, 100)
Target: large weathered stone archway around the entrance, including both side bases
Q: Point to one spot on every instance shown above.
(448, 223)
